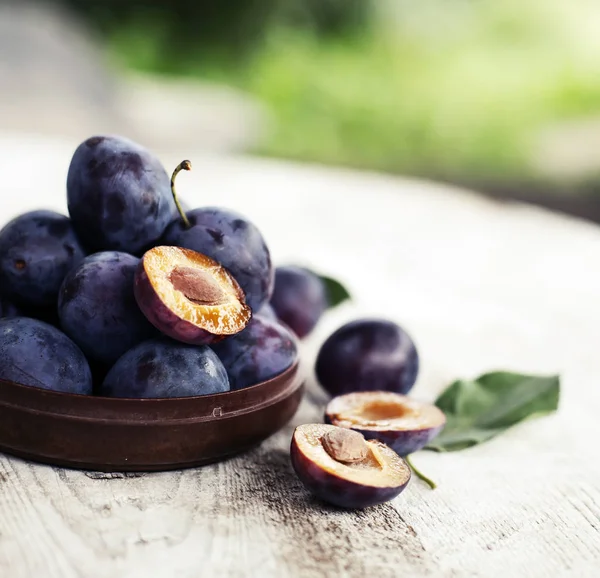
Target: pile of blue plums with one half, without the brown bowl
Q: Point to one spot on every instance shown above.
(130, 296)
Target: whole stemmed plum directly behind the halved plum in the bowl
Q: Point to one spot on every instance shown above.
(231, 240)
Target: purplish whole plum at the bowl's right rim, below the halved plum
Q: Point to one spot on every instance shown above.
(261, 351)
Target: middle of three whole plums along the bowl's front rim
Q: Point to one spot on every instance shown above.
(165, 368)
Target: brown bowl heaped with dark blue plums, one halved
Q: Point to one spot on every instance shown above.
(136, 334)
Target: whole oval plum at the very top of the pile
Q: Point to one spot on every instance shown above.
(118, 195)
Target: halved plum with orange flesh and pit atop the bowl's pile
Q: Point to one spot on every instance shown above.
(189, 296)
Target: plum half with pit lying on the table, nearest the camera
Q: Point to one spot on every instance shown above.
(342, 468)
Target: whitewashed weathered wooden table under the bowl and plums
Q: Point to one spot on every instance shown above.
(481, 285)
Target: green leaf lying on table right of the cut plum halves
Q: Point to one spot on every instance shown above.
(479, 410)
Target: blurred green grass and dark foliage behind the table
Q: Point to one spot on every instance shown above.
(503, 95)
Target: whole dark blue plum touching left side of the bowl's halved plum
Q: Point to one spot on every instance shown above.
(97, 308)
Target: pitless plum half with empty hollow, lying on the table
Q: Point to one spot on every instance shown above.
(404, 424)
